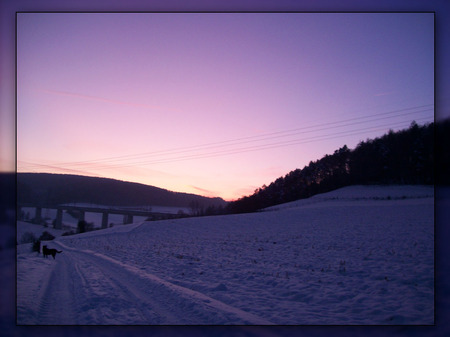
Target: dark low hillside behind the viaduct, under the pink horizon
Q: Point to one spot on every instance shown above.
(53, 189)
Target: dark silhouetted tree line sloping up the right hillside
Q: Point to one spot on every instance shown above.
(403, 157)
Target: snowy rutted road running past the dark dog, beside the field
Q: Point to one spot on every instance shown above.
(95, 289)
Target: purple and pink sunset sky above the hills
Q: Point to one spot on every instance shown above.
(216, 104)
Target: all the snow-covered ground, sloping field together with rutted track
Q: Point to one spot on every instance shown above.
(358, 255)
